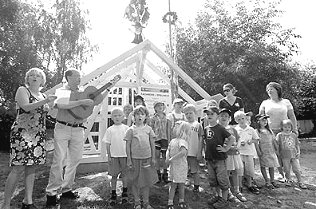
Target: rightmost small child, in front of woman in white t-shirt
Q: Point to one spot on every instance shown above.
(290, 151)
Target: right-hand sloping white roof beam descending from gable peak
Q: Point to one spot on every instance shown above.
(180, 72)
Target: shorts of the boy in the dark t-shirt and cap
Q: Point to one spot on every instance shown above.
(217, 172)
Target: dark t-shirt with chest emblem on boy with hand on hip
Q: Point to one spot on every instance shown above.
(214, 136)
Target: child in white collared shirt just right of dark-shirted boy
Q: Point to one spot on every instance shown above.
(248, 136)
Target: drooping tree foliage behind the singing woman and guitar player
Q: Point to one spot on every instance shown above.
(34, 36)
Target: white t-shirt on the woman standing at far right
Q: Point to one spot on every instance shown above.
(276, 110)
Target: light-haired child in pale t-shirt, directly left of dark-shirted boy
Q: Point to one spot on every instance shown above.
(194, 142)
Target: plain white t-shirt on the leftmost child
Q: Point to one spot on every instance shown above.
(114, 136)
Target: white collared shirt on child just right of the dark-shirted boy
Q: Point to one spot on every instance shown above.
(245, 135)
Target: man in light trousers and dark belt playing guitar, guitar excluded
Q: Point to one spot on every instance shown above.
(68, 141)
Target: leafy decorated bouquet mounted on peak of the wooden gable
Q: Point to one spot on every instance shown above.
(137, 13)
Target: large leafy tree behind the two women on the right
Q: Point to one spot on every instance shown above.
(242, 45)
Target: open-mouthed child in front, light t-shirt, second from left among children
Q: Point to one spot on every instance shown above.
(140, 150)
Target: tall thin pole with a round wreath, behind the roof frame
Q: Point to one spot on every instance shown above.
(171, 18)
